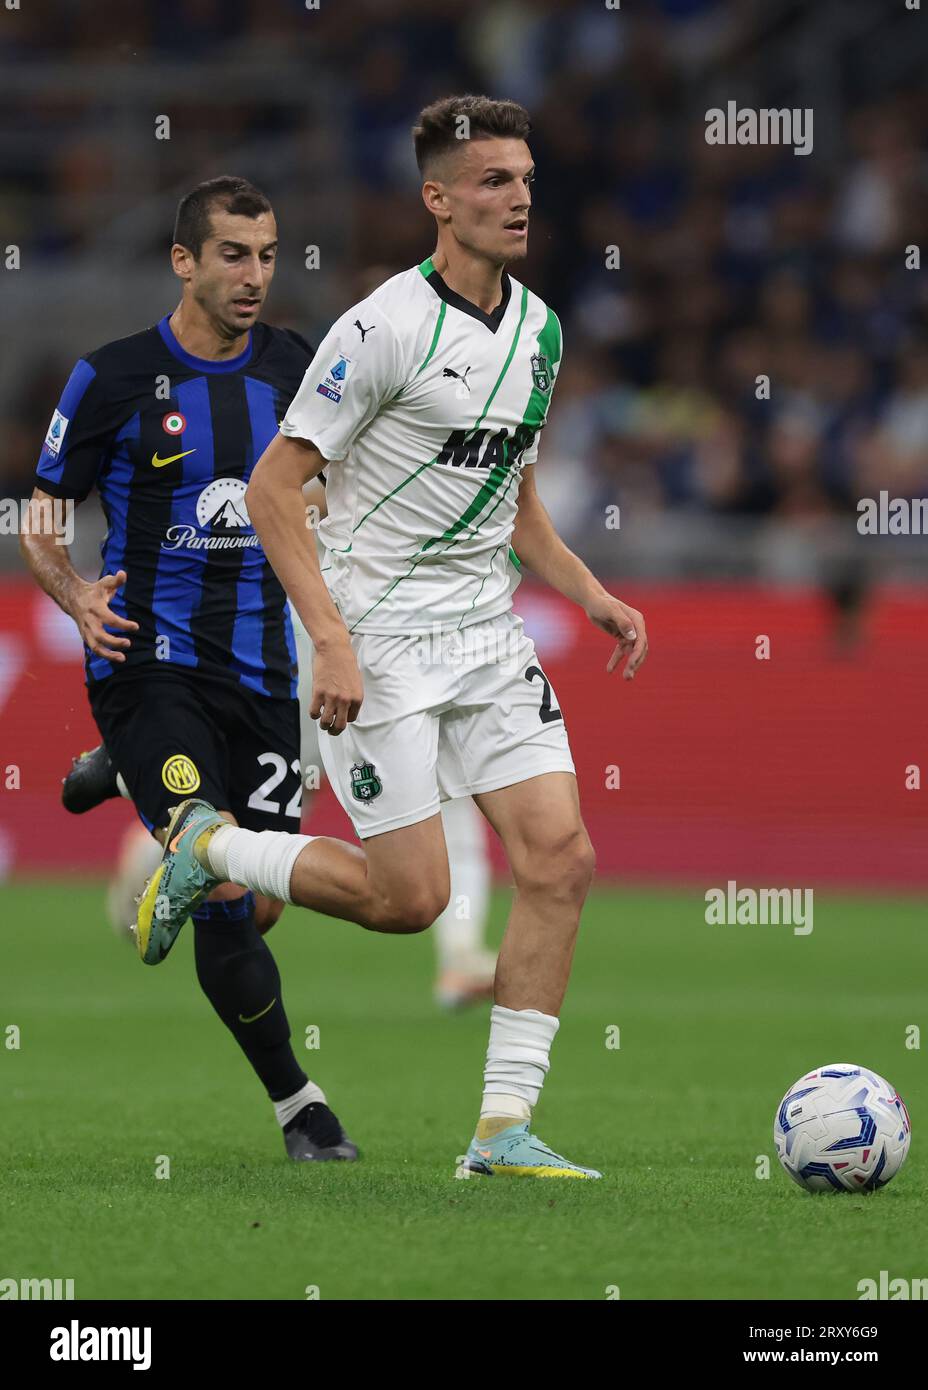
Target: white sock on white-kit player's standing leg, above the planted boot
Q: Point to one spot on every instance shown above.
(517, 1061)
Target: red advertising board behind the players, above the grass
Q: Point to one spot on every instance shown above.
(790, 761)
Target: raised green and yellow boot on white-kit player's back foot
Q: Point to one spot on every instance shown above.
(179, 885)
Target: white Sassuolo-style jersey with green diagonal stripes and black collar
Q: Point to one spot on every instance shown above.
(429, 411)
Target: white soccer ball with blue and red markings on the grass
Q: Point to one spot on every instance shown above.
(844, 1129)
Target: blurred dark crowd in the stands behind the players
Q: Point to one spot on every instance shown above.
(736, 262)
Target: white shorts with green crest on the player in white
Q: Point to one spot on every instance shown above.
(444, 717)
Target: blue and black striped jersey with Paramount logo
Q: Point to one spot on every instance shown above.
(170, 443)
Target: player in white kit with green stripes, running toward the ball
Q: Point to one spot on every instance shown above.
(424, 407)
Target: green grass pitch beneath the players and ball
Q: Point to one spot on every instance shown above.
(120, 1065)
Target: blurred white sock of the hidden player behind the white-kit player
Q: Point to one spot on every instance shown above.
(459, 932)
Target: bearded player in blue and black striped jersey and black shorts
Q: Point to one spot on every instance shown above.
(190, 654)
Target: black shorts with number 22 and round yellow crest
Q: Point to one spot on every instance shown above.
(176, 735)
